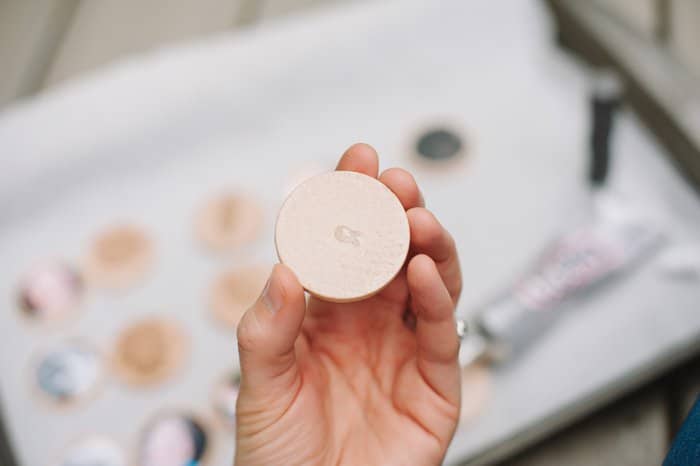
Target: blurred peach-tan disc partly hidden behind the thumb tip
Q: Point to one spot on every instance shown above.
(235, 291)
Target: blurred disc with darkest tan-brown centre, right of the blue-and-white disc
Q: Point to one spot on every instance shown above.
(149, 351)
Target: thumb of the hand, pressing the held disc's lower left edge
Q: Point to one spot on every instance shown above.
(267, 333)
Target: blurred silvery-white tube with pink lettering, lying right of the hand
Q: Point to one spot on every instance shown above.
(571, 268)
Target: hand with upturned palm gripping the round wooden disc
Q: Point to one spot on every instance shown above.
(368, 383)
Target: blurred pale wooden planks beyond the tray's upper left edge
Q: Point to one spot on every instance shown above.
(44, 42)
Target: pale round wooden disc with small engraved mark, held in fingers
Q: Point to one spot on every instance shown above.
(344, 234)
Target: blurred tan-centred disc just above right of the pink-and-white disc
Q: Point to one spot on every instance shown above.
(119, 256)
